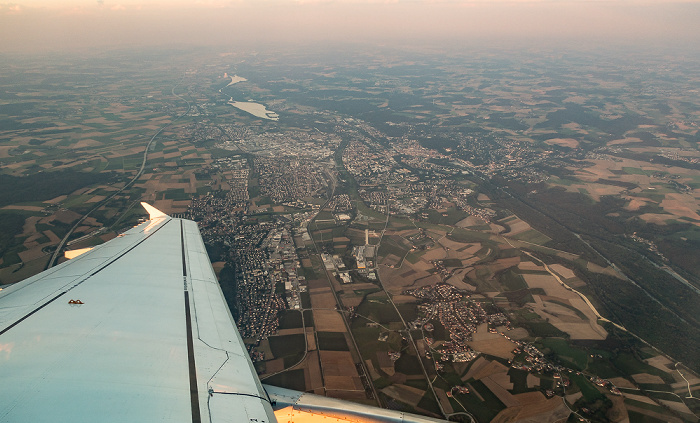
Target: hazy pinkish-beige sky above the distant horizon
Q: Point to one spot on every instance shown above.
(56, 25)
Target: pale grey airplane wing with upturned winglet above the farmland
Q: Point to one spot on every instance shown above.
(137, 330)
